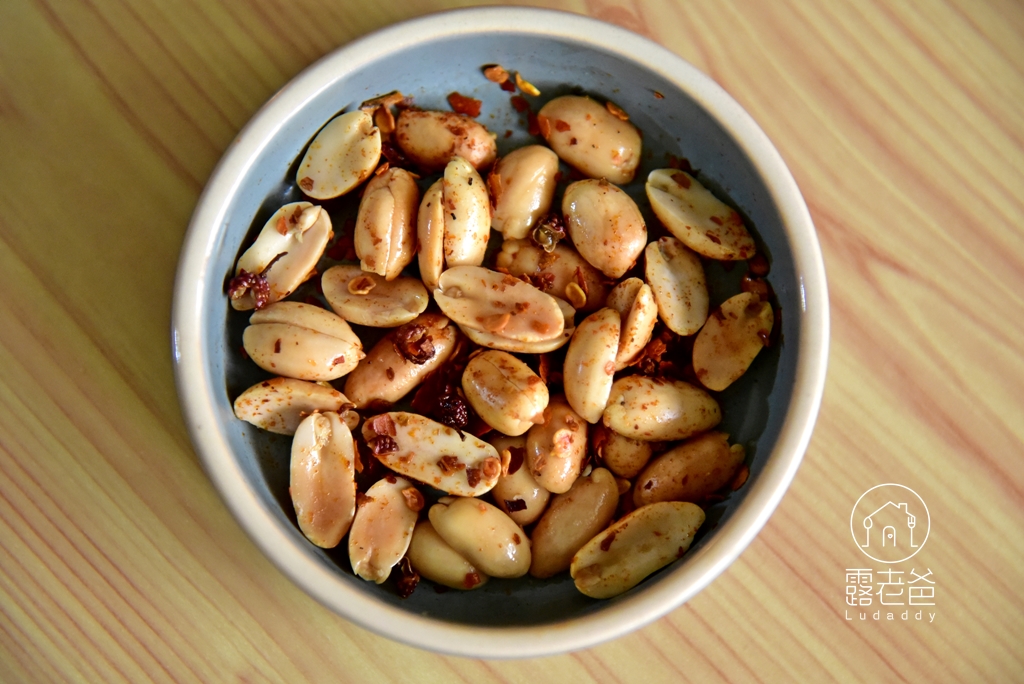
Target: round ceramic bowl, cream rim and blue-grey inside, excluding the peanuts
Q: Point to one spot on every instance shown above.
(682, 113)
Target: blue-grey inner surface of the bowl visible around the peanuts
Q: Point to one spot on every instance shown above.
(673, 124)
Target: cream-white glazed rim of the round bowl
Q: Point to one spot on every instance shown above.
(278, 542)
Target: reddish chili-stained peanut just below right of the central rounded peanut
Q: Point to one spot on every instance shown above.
(557, 449)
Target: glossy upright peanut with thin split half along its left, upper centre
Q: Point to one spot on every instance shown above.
(467, 215)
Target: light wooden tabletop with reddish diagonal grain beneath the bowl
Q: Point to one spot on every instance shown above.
(904, 123)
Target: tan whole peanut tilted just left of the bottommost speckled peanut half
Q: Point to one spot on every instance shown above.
(572, 521)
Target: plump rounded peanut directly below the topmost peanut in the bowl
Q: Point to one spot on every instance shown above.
(606, 226)
